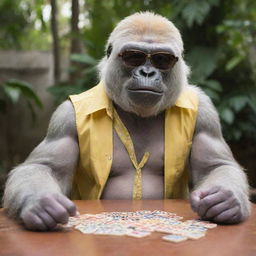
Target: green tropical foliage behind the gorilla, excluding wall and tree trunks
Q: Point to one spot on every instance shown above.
(219, 39)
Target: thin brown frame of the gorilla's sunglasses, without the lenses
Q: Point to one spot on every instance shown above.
(149, 56)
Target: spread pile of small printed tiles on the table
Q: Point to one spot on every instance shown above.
(140, 224)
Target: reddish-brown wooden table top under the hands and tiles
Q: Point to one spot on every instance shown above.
(228, 240)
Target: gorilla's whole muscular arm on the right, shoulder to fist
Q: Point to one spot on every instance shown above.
(220, 184)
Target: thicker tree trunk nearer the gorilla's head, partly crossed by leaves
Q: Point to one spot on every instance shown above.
(75, 40)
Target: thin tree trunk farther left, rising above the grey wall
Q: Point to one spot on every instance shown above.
(56, 43)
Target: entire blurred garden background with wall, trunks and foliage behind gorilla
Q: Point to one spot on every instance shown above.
(49, 49)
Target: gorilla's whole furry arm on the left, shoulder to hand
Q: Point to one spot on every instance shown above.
(34, 190)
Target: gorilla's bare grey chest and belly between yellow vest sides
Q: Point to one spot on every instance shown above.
(147, 136)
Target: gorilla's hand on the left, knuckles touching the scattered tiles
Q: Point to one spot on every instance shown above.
(47, 212)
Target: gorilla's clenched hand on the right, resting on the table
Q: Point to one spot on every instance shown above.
(216, 204)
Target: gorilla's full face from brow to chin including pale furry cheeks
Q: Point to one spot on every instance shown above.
(140, 78)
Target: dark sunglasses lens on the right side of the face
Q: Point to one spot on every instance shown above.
(163, 61)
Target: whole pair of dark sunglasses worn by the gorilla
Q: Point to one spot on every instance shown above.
(160, 60)
